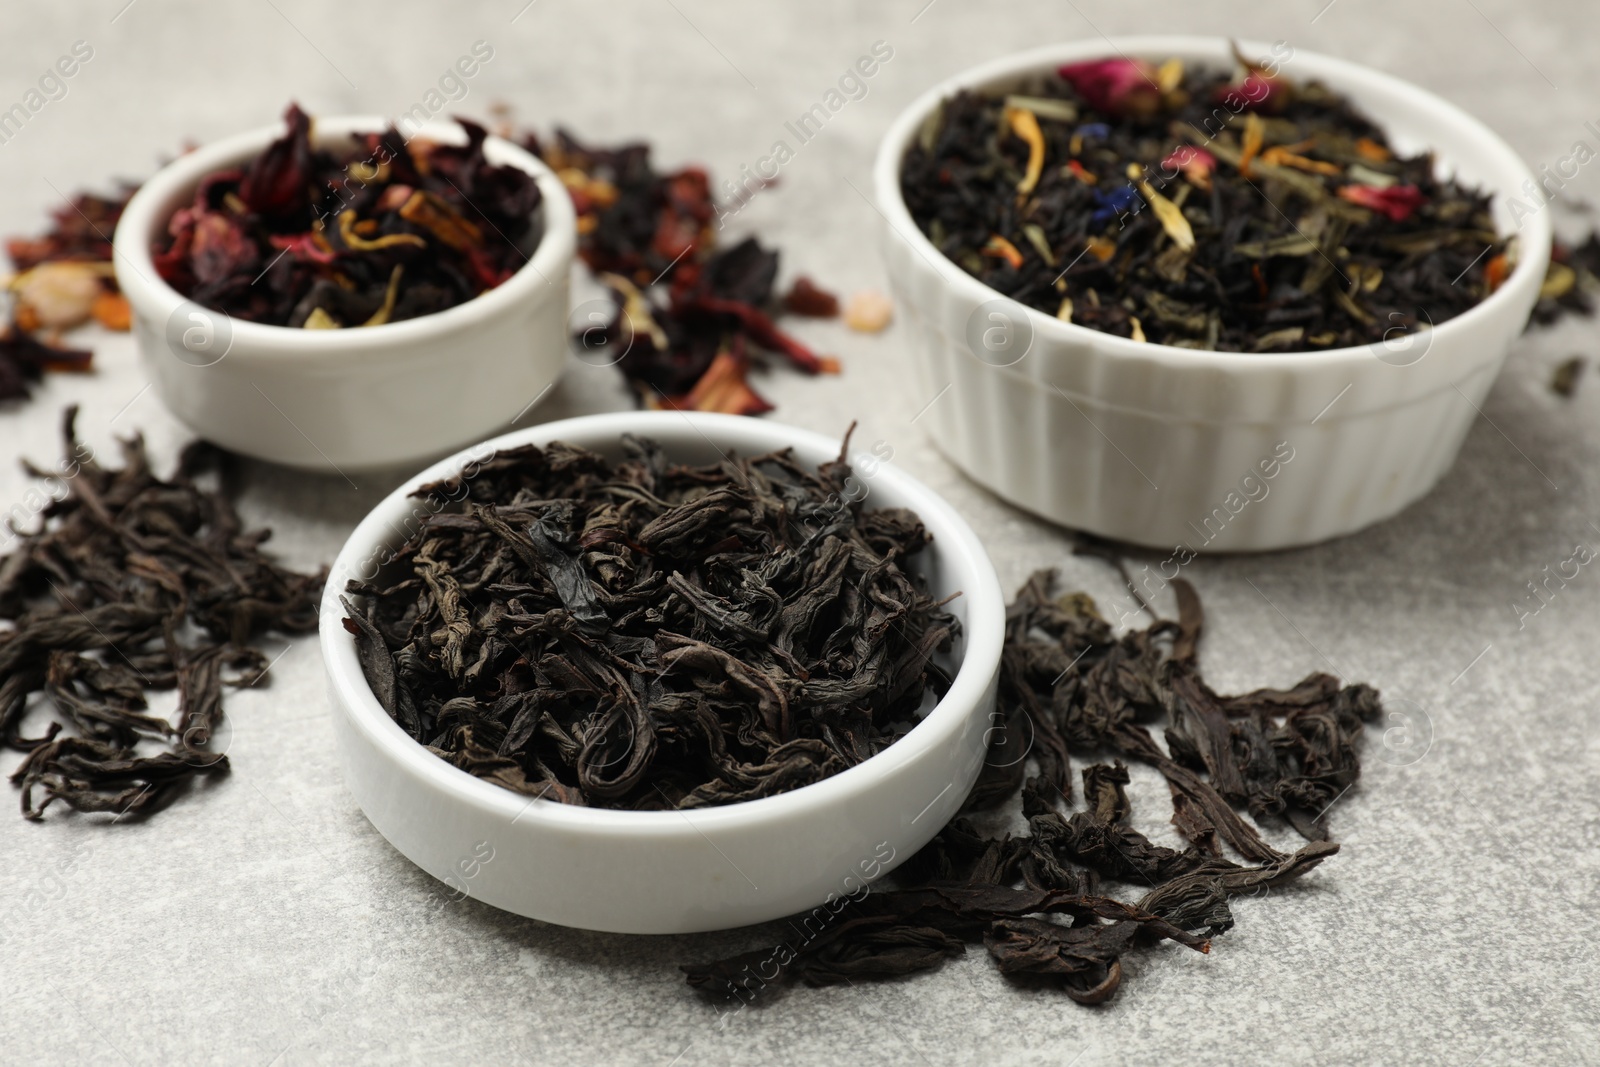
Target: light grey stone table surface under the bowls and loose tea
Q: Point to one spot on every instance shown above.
(263, 921)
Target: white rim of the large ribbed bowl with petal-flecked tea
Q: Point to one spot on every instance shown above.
(1306, 66)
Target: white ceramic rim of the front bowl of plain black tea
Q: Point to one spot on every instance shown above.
(983, 636)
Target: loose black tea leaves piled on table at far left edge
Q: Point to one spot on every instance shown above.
(134, 585)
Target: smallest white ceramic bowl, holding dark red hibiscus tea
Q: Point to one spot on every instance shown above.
(361, 398)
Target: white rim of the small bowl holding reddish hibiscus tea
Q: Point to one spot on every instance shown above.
(150, 212)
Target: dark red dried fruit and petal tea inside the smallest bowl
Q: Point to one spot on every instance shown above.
(385, 231)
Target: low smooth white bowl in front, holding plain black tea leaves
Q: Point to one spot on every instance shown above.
(662, 873)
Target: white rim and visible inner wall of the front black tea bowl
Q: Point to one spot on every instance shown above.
(953, 564)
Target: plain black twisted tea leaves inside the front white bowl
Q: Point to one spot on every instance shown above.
(646, 634)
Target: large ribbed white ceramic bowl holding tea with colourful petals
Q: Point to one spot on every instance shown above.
(1158, 446)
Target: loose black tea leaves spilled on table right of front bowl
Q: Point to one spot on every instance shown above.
(1071, 685)
